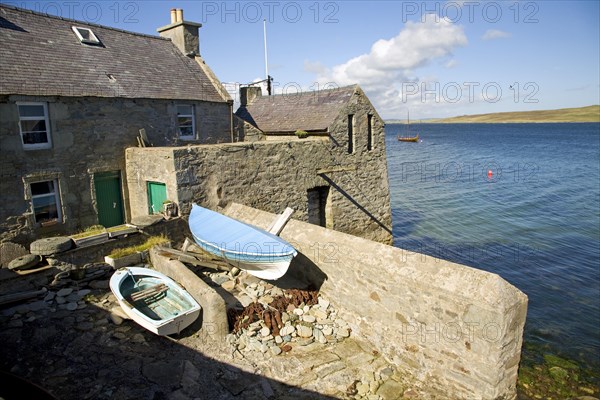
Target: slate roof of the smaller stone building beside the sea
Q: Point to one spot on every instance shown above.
(309, 111)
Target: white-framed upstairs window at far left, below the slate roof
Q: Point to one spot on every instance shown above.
(34, 126)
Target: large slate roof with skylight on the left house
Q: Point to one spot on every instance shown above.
(41, 55)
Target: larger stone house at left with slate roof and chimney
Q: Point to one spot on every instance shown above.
(73, 96)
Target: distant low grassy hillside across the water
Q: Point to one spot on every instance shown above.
(581, 114)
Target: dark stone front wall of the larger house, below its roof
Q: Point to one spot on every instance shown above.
(89, 135)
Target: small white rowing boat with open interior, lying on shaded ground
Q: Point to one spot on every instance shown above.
(165, 314)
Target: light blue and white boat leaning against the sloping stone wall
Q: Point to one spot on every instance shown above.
(247, 247)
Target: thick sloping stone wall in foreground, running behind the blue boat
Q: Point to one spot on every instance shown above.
(456, 331)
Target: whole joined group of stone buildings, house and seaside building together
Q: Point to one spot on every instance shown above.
(74, 97)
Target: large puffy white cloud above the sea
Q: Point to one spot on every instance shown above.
(383, 72)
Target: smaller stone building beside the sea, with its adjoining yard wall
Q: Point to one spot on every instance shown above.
(336, 177)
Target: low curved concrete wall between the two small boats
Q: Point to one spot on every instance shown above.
(214, 311)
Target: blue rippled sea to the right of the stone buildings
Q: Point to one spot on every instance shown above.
(519, 200)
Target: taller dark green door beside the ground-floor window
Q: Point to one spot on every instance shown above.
(108, 198)
